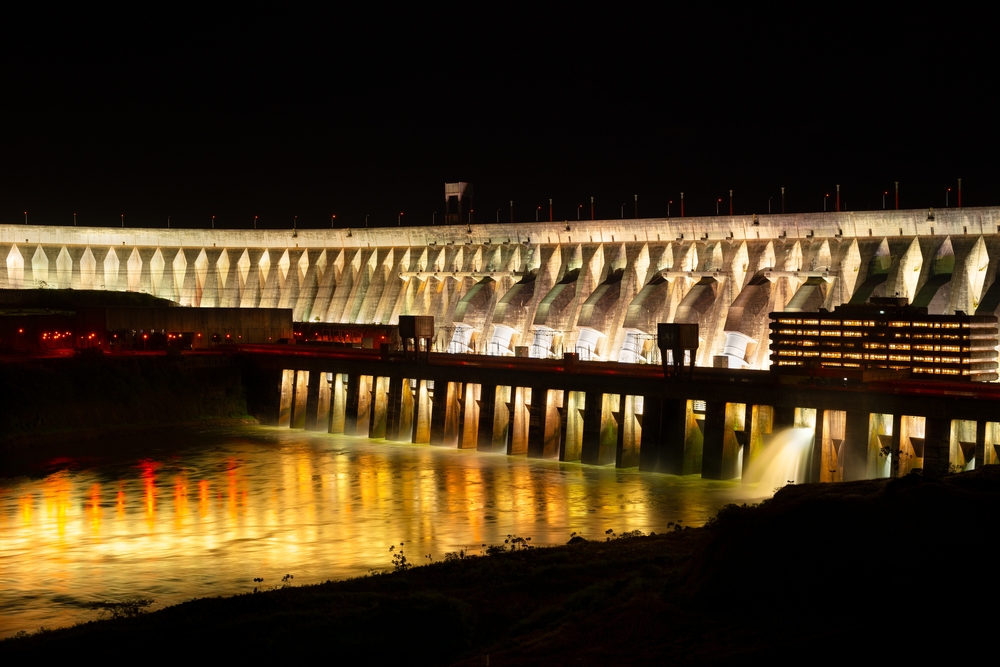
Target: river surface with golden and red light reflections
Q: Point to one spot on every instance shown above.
(183, 515)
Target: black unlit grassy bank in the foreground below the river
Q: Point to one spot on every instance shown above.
(852, 571)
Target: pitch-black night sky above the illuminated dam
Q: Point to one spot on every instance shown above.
(354, 114)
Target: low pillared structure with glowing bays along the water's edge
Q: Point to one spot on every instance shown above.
(712, 422)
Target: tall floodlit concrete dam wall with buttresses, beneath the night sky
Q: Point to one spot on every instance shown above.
(597, 288)
